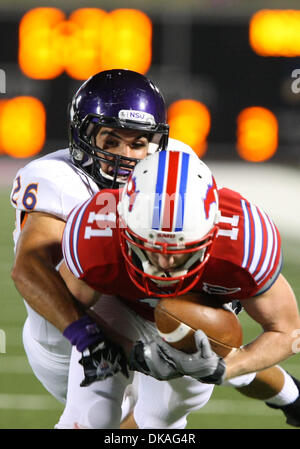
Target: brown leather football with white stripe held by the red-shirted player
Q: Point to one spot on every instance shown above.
(178, 318)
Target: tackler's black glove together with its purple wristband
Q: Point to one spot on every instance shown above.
(101, 357)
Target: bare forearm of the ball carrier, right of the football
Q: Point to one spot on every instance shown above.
(267, 350)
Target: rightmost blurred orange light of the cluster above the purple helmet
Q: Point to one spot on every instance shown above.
(126, 36)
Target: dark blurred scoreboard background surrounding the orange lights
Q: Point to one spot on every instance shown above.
(192, 57)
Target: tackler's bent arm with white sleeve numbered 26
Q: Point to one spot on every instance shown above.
(38, 249)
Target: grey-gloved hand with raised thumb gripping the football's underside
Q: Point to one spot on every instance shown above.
(204, 365)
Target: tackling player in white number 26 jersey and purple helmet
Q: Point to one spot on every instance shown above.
(116, 118)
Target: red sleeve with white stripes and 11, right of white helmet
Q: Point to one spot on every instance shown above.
(249, 240)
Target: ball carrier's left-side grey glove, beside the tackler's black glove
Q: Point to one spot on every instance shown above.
(147, 358)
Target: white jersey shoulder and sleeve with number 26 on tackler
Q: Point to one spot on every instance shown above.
(50, 184)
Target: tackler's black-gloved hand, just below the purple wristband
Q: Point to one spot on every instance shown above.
(102, 360)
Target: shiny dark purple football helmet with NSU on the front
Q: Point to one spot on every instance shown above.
(116, 99)
